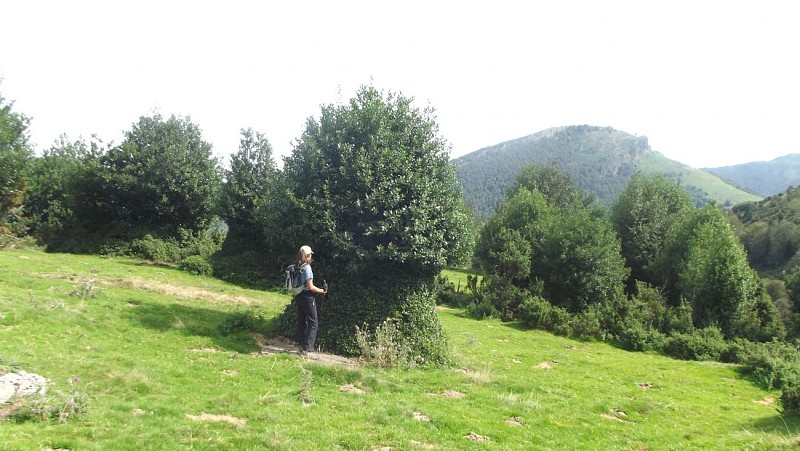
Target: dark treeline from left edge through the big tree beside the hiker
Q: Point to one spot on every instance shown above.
(368, 185)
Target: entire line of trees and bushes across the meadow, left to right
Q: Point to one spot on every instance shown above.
(369, 185)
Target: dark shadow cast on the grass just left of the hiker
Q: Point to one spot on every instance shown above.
(225, 329)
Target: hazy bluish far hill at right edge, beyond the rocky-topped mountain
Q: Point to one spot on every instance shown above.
(762, 177)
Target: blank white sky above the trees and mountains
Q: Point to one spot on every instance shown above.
(710, 83)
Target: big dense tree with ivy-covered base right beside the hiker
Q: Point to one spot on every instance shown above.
(370, 188)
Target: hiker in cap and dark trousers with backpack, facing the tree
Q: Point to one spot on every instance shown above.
(307, 323)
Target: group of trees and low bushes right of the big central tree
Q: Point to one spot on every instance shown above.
(652, 273)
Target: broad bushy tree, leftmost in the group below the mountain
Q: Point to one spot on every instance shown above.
(542, 242)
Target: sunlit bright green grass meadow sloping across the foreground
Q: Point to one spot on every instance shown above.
(150, 356)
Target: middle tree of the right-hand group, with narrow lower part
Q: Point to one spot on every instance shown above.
(647, 210)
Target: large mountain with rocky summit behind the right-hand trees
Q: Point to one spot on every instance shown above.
(601, 159)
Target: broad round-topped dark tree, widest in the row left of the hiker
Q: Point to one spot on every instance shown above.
(163, 178)
